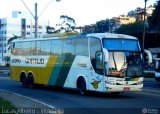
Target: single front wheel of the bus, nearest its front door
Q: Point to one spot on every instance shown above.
(81, 85)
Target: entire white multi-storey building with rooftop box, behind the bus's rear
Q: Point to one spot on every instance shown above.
(17, 25)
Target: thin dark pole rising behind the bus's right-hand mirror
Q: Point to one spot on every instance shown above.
(144, 26)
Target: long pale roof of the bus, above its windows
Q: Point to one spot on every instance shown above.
(83, 35)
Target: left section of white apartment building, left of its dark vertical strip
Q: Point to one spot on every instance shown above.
(8, 28)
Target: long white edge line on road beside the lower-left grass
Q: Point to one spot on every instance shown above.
(50, 106)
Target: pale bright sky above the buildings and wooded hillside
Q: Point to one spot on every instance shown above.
(85, 12)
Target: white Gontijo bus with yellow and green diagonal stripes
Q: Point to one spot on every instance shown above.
(101, 62)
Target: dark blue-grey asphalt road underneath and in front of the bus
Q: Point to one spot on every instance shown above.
(72, 102)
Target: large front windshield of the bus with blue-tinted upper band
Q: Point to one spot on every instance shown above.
(124, 58)
